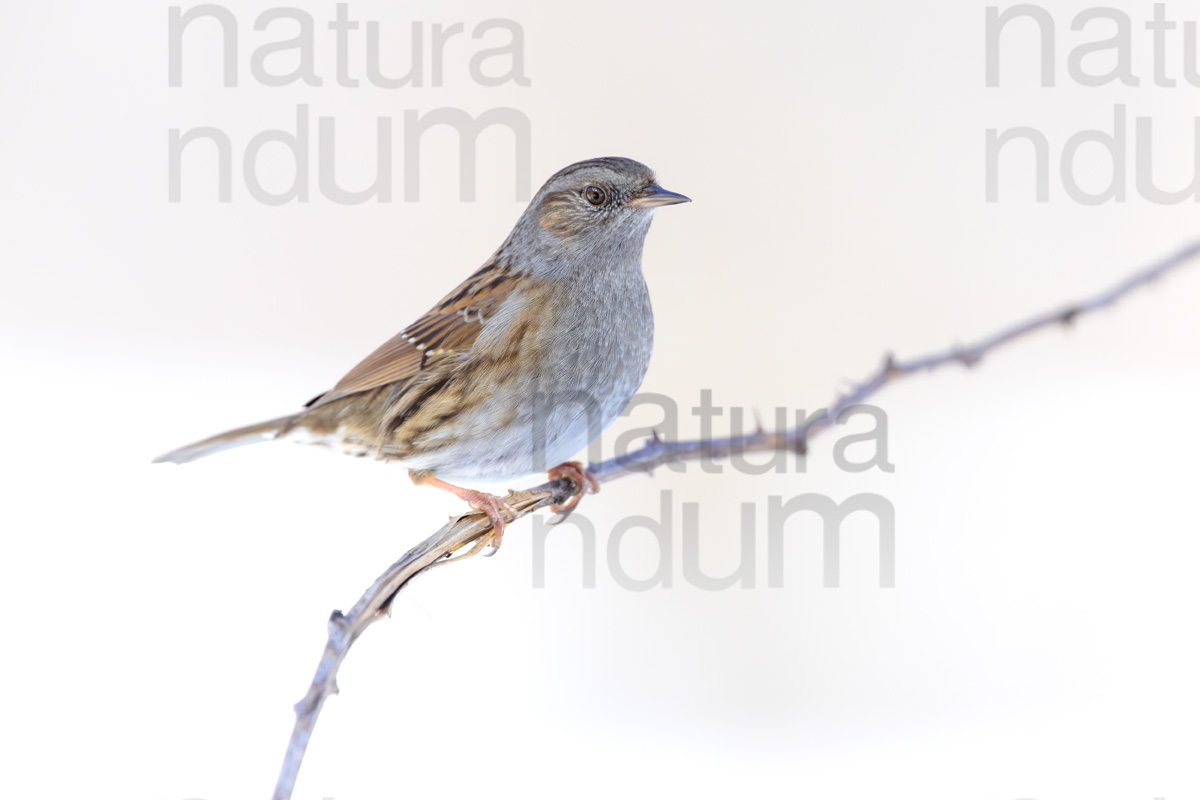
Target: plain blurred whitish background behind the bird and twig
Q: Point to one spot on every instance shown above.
(161, 621)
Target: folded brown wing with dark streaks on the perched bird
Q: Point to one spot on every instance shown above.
(451, 327)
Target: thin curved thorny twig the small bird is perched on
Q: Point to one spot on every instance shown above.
(466, 536)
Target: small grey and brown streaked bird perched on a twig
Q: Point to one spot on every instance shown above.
(520, 366)
